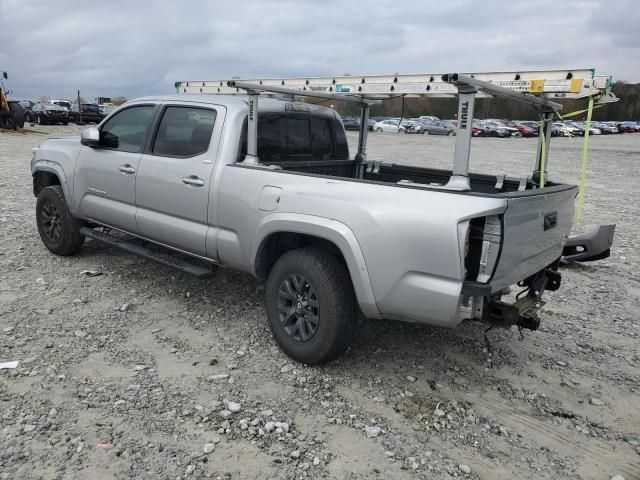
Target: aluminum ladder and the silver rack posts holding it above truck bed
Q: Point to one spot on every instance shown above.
(535, 88)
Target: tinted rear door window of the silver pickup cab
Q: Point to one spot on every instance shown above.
(184, 132)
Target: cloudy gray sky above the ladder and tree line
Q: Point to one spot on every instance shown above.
(133, 48)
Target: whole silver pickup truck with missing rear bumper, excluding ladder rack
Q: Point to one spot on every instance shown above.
(166, 177)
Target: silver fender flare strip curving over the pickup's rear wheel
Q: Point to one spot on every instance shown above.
(332, 230)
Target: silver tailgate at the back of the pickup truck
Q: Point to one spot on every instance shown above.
(536, 227)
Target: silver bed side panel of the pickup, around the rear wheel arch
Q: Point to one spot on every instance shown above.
(408, 236)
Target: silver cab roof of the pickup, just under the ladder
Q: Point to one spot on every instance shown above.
(241, 101)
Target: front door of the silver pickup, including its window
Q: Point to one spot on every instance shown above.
(105, 179)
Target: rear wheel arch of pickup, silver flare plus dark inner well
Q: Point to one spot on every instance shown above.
(282, 232)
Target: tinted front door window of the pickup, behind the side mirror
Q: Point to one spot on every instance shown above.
(127, 130)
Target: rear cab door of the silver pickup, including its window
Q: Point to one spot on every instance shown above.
(174, 181)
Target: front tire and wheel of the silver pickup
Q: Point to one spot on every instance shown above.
(63, 237)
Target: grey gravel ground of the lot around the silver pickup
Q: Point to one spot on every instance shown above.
(142, 372)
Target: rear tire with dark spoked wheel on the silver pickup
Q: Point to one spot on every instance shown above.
(323, 280)
